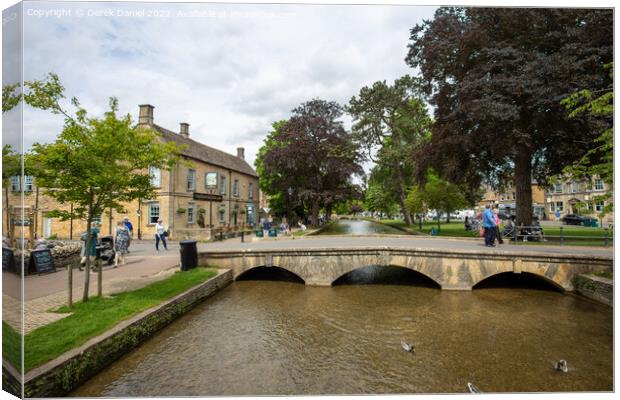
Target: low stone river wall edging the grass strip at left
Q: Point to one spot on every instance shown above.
(65, 373)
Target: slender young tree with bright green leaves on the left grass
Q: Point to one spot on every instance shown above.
(95, 163)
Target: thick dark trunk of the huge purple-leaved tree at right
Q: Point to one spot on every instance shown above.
(523, 185)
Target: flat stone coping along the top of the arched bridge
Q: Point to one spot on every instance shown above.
(409, 250)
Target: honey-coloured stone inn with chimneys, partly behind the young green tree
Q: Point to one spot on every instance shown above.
(209, 192)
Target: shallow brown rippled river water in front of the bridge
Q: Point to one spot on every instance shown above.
(281, 338)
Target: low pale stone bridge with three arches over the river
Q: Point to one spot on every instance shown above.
(450, 269)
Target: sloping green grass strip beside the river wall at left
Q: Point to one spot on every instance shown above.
(100, 314)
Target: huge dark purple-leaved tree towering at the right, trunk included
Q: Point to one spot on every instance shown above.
(496, 77)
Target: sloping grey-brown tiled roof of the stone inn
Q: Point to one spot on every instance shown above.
(201, 152)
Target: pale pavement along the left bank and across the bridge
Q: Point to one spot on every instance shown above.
(144, 265)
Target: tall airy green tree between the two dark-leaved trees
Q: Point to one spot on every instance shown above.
(390, 122)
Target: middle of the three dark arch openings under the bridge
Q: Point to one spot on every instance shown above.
(389, 274)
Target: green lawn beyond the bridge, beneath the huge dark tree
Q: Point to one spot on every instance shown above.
(573, 235)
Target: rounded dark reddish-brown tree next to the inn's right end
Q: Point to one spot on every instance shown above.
(312, 155)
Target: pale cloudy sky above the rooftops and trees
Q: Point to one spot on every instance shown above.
(229, 70)
